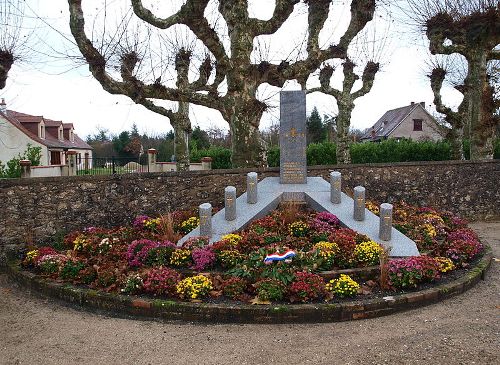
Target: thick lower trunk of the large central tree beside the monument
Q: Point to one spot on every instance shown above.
(247, 147)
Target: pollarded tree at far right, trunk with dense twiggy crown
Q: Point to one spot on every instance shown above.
(470, 28)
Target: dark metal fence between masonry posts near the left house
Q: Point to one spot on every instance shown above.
(109, 166)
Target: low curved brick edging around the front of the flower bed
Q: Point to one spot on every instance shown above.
(225, 313)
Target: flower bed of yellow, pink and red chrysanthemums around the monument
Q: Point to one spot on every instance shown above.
(279, 258)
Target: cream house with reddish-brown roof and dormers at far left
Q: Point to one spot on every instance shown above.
(55, 138)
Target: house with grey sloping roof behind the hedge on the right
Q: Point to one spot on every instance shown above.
(412, 121)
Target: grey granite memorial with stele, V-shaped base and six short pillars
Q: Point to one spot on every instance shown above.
(293, 185)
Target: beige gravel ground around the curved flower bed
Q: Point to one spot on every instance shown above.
(461, 330)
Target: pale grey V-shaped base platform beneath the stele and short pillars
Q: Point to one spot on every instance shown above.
(316, 192)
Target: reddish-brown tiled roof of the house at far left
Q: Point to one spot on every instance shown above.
(24, 122)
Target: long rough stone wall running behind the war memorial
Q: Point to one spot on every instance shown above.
(35, 209)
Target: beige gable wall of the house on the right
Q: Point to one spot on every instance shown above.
(429, 127)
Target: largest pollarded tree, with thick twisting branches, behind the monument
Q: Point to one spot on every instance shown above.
(239, 105)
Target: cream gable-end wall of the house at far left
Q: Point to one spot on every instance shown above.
(14, 142)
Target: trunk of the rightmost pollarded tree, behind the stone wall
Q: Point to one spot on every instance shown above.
(482, 125)
